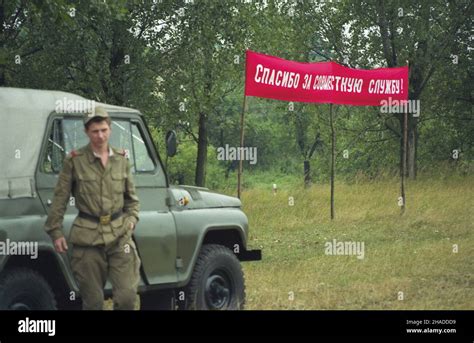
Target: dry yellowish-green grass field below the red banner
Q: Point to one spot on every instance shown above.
(410, 253)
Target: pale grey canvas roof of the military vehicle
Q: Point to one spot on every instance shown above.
(23, 119)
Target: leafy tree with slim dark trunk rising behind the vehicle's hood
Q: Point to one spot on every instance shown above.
(203, 50)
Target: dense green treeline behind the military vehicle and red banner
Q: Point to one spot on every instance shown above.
(182, 64)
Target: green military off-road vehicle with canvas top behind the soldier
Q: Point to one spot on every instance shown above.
(190, 240)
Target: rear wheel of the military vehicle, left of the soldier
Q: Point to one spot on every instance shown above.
(25, 289)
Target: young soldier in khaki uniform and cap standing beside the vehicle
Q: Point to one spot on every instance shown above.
(101, 235)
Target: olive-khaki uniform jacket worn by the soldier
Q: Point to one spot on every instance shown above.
(98, 191)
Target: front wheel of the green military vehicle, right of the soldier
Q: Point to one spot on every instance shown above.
(217, 282)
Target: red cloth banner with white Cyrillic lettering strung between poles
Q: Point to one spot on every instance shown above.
(325, 82)
